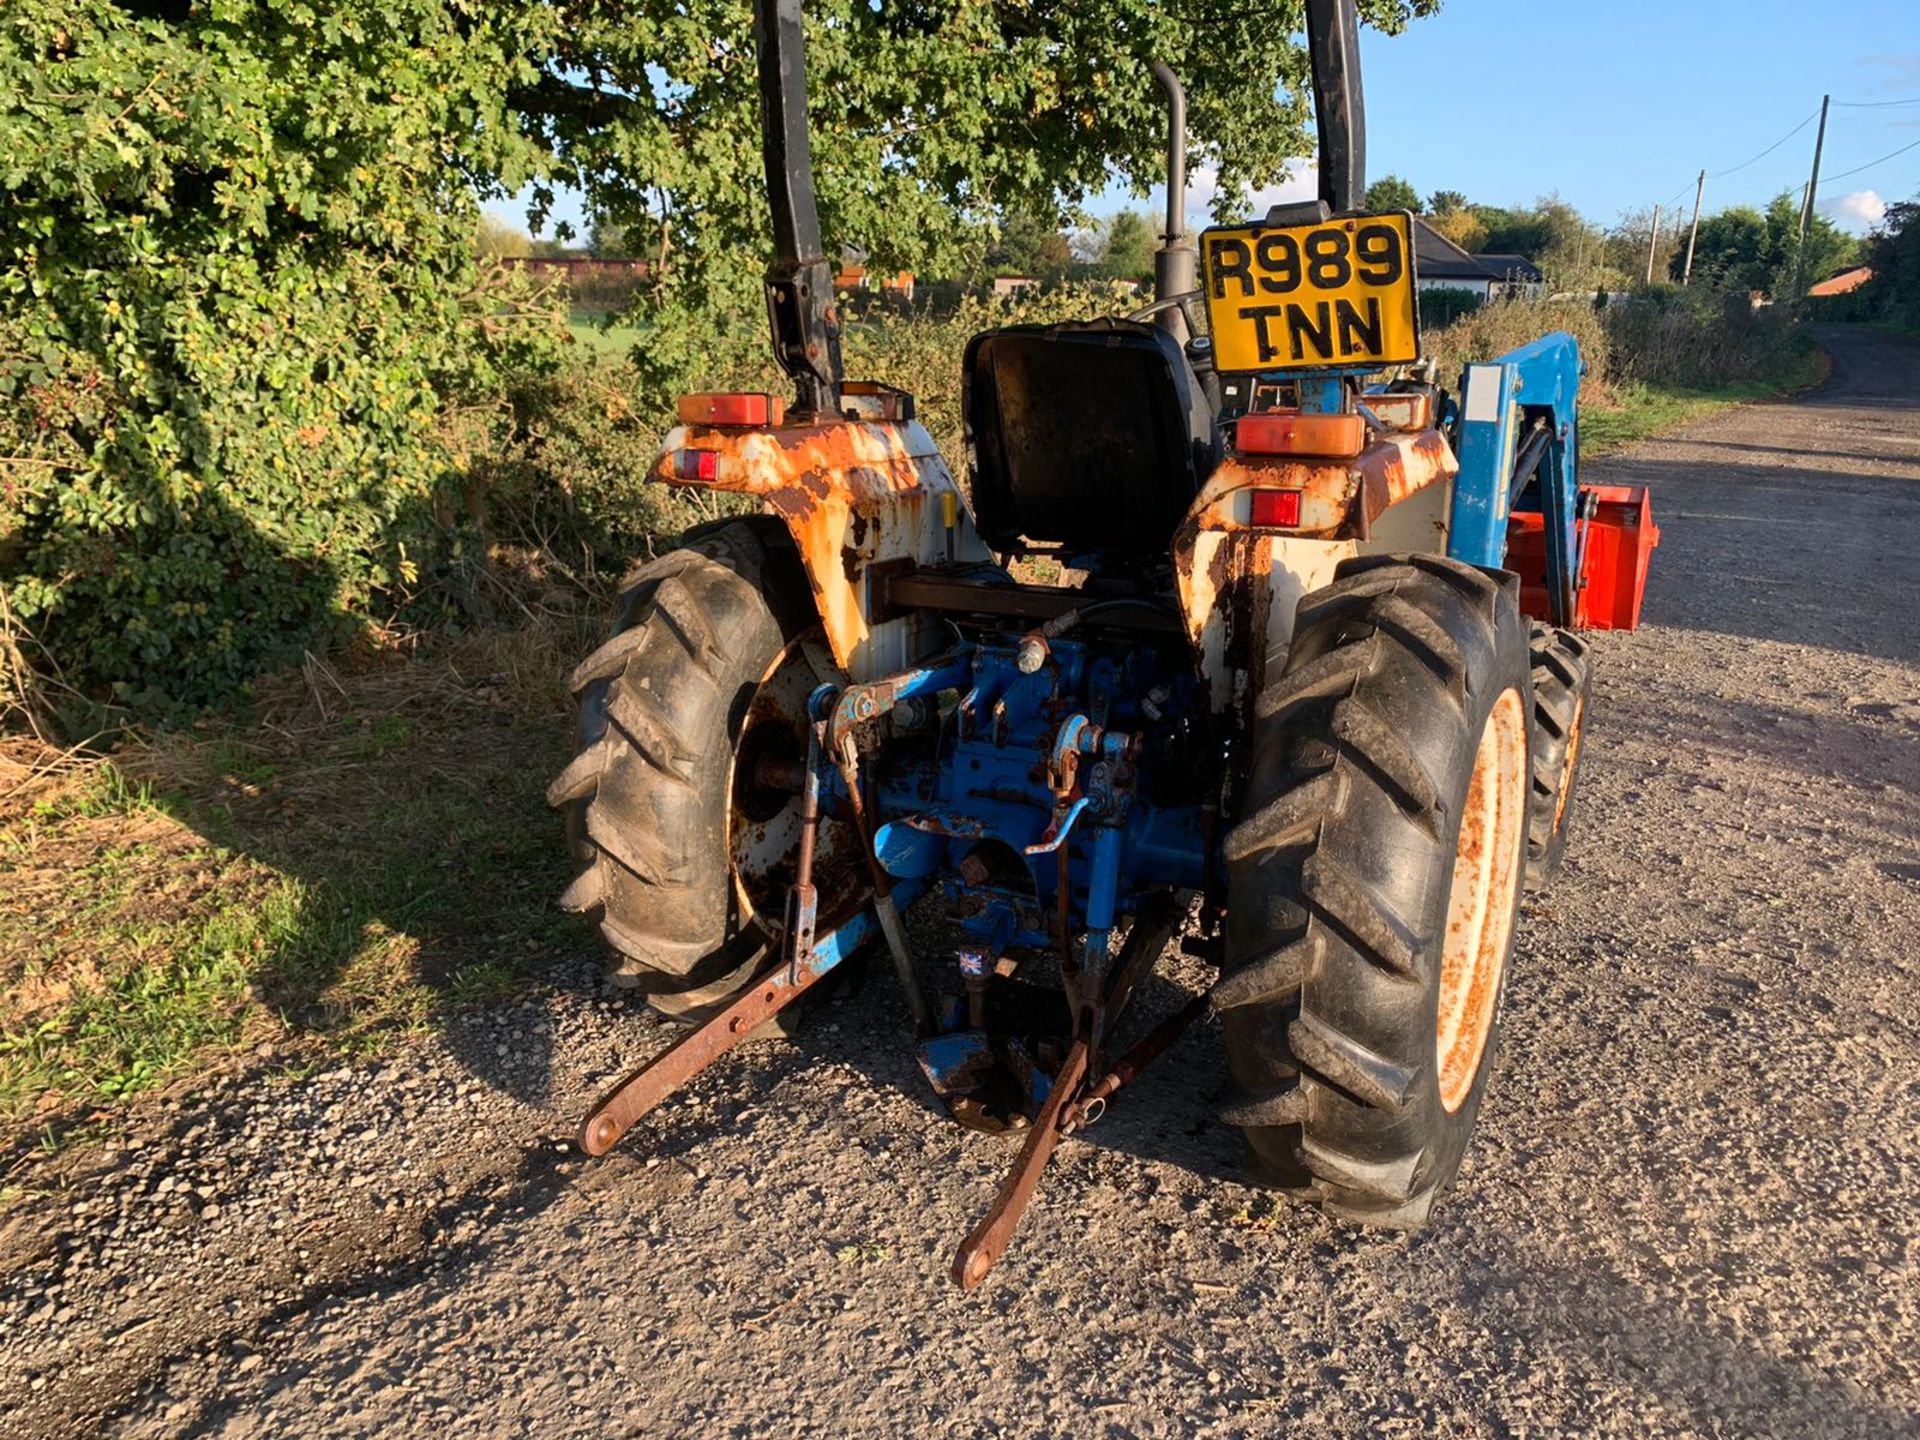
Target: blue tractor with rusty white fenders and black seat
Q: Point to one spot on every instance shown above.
(1291, 713)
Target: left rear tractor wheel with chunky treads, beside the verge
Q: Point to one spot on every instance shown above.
(681, 846)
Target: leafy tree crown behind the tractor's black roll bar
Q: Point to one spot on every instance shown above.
(930, 122)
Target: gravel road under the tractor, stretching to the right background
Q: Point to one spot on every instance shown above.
(1691, 1209)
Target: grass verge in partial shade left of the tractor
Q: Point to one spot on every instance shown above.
(362, 853)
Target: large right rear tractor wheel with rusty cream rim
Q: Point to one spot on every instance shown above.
(1376, 884)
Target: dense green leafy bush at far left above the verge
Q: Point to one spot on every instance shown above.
(239, 304)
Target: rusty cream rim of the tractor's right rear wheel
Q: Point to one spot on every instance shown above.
(1487, 873)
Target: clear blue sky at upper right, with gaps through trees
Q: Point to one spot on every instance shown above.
(1618, 105)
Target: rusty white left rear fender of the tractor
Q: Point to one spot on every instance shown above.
(855, 496)
